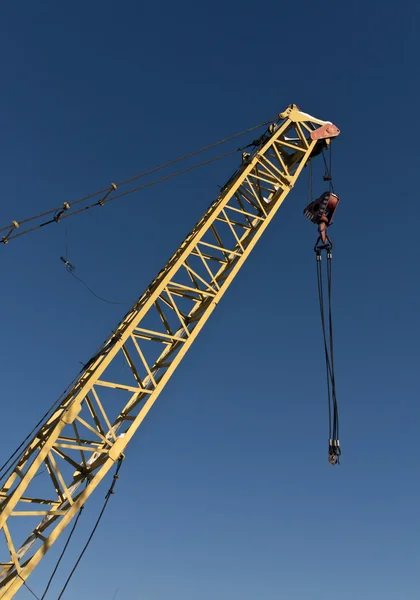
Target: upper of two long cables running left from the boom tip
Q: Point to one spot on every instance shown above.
(138, 176)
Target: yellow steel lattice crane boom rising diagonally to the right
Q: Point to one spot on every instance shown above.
(88, 431)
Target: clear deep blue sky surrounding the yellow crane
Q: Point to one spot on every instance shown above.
(226, 491)
